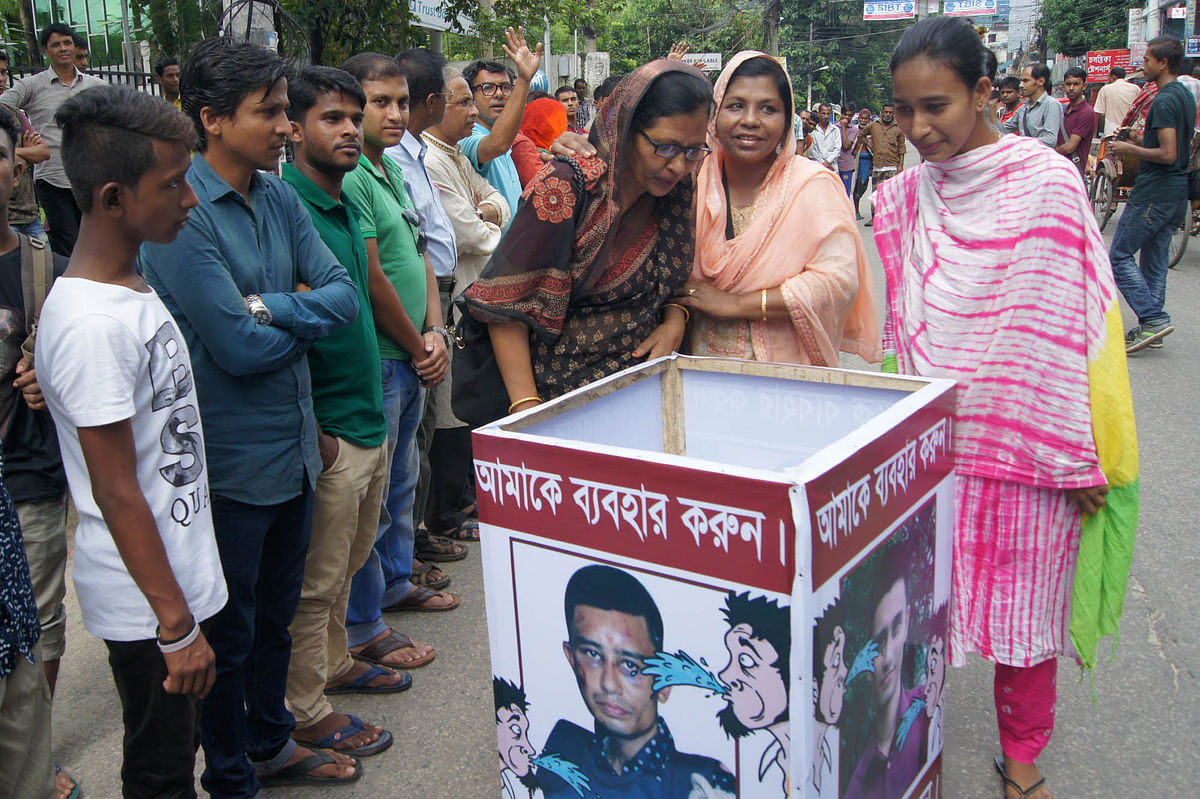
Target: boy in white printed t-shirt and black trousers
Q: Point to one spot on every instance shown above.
(116, 374)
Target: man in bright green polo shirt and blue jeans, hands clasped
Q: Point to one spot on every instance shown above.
(413, 351)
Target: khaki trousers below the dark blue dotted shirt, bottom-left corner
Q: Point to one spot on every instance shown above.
(26, 771)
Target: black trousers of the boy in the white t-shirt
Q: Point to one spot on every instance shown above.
(163, 731)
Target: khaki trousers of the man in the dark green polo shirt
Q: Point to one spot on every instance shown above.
(345, 522)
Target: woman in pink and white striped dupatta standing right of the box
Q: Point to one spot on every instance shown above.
(998, 278)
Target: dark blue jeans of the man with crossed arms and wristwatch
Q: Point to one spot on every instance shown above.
(245, 722)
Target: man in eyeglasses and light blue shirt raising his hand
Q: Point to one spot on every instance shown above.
(501, 99)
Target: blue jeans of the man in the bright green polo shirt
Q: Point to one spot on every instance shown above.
(386, 578)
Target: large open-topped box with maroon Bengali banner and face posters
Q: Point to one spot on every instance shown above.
(712, 579)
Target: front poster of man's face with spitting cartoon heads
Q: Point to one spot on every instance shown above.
(634, 672)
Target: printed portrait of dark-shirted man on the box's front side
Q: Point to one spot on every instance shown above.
(614, 626)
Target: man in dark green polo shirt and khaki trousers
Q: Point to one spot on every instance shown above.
(347, 397)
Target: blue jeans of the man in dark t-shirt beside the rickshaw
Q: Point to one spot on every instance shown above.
(1148, 229)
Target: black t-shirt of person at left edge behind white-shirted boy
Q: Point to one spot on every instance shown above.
(33, 464)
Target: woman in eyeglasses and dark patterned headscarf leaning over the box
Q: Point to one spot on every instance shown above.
(583, 286)
